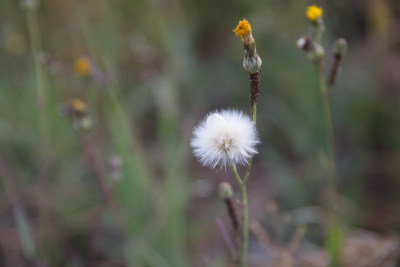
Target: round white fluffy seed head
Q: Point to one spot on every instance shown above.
(224, 138)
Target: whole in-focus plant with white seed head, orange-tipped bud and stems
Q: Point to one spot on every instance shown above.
(228, 138)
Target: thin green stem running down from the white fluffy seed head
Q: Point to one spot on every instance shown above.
(245, 244)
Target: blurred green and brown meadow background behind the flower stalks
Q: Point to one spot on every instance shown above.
(111, 181)
